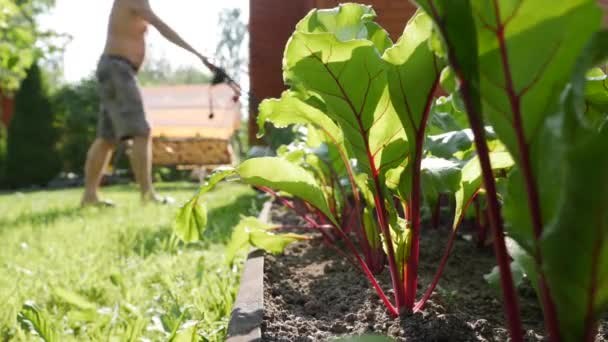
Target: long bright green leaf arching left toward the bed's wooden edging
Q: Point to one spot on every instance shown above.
(279, 174)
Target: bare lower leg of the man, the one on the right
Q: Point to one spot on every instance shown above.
(141, 162)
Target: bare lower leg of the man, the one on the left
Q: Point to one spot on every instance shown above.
(97, 159)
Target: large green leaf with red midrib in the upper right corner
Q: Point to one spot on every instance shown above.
(558, 31)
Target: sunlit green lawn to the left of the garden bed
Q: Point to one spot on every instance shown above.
(116, 274)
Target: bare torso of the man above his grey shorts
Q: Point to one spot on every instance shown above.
(126, 32)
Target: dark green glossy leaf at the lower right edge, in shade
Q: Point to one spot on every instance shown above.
(570, 165)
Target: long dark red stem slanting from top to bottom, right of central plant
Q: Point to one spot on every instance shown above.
(511, 303)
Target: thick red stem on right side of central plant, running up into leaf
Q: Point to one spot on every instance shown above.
(411, 270)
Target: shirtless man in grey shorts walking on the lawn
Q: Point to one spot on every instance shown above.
(122, 114)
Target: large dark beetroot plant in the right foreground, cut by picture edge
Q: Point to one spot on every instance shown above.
(536, 106)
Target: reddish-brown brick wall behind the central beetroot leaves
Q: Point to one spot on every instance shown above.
(271, 23)
